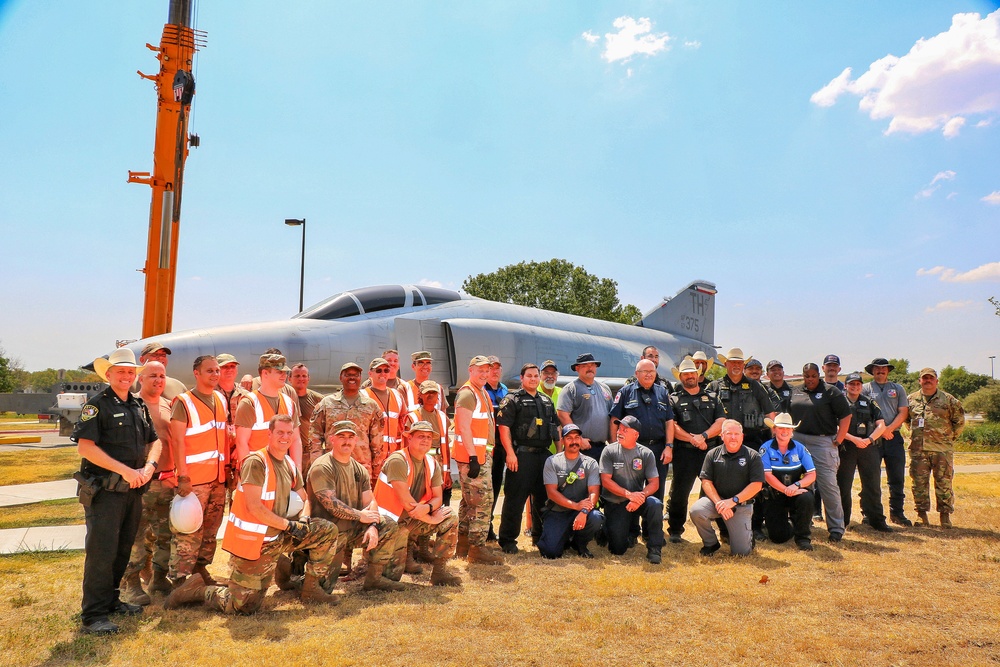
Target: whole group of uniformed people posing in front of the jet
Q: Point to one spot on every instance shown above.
(309, 478)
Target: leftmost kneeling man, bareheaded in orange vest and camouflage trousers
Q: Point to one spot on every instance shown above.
(257, 532)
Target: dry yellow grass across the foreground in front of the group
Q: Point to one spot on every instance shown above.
(916, 597)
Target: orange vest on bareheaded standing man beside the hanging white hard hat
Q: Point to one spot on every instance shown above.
(206, 449)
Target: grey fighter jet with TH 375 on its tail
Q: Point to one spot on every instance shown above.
(360, 324)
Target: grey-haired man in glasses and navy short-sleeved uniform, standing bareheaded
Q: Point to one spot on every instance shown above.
(648, 402)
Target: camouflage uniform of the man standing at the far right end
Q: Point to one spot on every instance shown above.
(935, 422)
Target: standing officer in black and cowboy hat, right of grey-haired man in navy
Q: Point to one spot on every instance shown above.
(698, 417)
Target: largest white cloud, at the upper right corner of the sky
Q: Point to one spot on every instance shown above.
(940, 82)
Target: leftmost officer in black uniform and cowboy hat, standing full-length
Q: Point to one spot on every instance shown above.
(119, 446)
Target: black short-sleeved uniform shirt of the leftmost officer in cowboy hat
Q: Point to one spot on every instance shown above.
(122, 429)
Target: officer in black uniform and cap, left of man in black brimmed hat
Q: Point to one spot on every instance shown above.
(860, 451)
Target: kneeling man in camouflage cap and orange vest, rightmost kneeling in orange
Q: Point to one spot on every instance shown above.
(409, 491)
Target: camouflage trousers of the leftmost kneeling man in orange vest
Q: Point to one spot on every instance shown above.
(250, 579)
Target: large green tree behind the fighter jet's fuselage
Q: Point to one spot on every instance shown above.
(555, 285)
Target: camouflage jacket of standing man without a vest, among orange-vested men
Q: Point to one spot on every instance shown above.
(366, 414)
